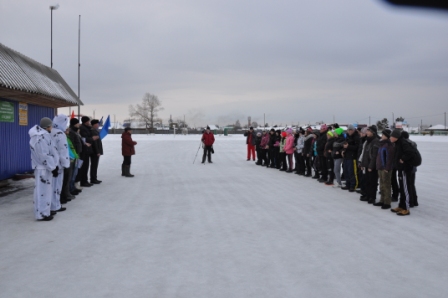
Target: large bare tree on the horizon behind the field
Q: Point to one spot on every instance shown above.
(147, 111)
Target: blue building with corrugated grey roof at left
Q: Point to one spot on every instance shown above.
(29, 91)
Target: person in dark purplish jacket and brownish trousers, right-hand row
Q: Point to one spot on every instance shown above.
(384, 165)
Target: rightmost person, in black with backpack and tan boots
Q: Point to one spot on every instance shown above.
(406, 159)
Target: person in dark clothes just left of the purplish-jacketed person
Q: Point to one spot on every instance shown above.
(368, 165)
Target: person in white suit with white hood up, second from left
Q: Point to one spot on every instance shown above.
(59, 140)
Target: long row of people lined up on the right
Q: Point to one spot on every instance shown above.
(362, 158)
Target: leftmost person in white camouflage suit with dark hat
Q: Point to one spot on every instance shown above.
(44, 163)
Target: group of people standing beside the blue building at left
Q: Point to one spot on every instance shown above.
(61, 157)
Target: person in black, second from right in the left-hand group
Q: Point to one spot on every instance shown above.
(87, 139)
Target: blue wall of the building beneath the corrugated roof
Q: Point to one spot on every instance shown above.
(15, 156)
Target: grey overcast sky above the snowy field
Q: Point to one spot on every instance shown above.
(219, 61)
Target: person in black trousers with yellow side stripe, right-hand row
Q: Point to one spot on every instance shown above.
(350, 154)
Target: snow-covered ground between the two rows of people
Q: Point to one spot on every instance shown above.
(229, 229)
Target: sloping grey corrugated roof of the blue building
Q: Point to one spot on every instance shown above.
(21, 73)
